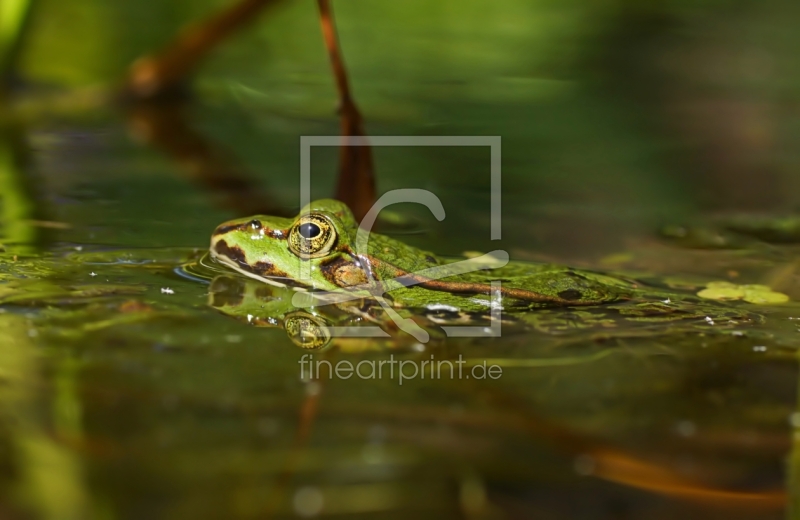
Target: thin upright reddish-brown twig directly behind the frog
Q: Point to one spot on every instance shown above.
(356, 183)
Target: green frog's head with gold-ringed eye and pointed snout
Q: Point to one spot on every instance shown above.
(267, 248)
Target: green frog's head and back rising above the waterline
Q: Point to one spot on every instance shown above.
(321, 243)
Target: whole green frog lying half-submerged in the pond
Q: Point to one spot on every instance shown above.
(317, 251)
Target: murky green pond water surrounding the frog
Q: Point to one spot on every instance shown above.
(127, 391)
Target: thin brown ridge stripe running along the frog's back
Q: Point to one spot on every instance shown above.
(404, 277)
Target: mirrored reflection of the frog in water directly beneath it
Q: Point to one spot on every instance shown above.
(265, 305)
